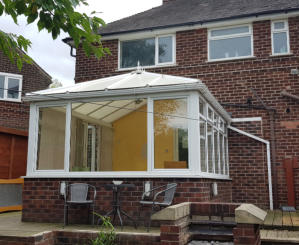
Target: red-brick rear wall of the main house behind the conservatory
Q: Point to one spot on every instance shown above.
(230, 82)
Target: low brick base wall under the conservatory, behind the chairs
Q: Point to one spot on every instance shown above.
(43, 203)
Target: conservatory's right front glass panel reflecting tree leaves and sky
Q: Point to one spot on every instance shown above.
(171, 133)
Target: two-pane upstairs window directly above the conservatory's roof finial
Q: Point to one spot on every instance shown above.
(149, 52)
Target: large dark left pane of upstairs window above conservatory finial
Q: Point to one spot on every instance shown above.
(138, 50)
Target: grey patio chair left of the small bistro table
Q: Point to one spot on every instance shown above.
(77, 194)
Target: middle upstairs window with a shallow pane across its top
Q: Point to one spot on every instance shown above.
(230, 43)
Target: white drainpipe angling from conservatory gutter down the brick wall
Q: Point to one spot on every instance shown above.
(267, 143)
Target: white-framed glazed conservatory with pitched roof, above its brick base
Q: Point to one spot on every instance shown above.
(138, 124)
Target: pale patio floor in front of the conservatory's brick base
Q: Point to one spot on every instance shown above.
(11, 225)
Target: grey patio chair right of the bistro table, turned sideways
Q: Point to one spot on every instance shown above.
(168, 191)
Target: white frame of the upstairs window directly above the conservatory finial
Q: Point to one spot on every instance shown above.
(157, 64)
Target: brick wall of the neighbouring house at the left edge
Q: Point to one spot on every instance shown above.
(14, 114)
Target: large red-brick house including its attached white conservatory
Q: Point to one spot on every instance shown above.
(216, 110)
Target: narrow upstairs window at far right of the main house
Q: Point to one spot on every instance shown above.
(280, 37)
